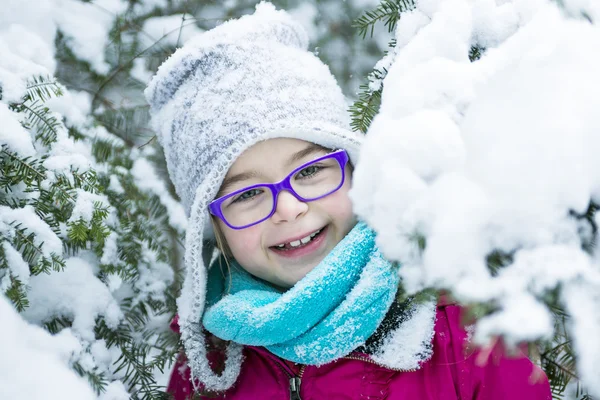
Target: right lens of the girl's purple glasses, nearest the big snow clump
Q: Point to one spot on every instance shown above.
(317, 179)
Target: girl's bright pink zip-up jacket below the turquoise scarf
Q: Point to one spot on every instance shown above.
(451, 373)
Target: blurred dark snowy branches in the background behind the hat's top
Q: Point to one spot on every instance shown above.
(143, 36)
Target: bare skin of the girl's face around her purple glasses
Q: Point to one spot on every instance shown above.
(258, 248)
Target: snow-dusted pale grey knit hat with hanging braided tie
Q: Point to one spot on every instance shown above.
(245, 81)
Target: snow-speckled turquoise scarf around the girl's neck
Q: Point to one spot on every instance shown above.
(334, 309)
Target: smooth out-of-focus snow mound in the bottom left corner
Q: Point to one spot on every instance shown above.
(29, 352)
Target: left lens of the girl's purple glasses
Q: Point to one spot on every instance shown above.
(248, 207)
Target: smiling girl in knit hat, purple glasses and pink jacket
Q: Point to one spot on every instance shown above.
(299, 303)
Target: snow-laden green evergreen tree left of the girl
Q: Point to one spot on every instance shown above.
(89, 233)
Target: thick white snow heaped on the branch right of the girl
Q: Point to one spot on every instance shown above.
(492, 155)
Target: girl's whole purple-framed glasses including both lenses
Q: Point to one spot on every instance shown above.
(254, 204)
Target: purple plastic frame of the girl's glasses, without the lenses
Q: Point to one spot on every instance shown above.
(341, 156)
